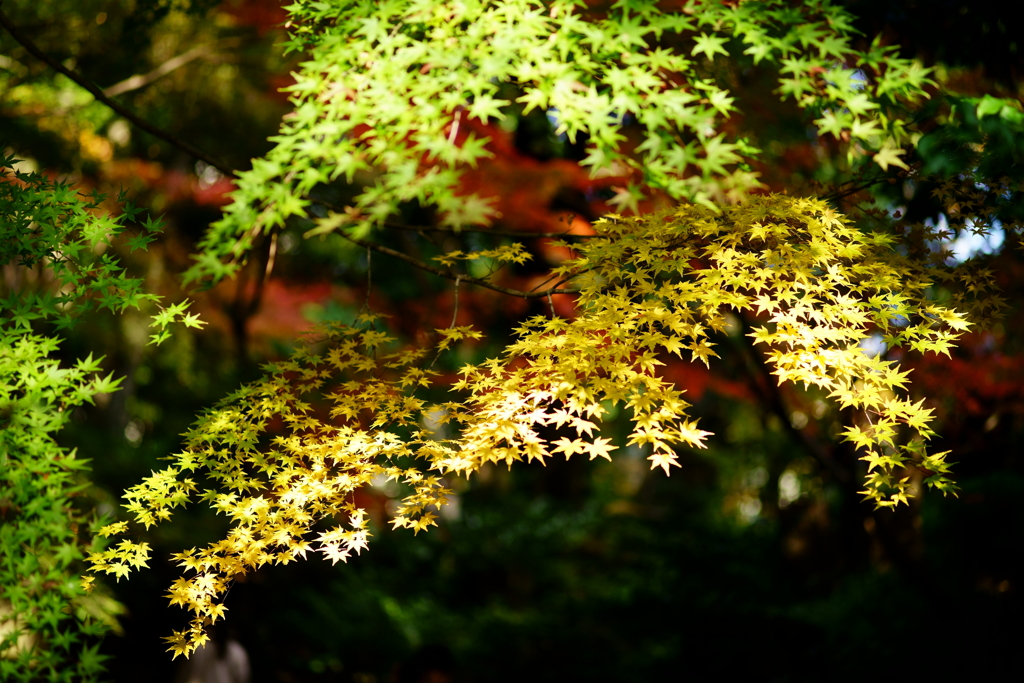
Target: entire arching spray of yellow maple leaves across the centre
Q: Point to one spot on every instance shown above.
(284, 457)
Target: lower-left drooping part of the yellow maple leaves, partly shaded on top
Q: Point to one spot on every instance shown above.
(288, 489)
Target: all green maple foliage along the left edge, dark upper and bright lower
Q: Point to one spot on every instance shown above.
(58, 260)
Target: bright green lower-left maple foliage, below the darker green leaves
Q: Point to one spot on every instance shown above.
(40, 544)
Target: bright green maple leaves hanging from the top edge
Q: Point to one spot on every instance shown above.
(390, 89)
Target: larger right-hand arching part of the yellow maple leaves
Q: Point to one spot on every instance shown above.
(659, 284)
